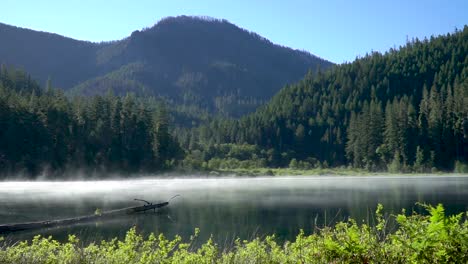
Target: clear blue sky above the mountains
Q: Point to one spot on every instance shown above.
(335, 30)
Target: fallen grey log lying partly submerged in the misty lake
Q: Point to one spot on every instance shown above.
(8, 228)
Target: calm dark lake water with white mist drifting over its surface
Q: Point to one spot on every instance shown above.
(225, 207)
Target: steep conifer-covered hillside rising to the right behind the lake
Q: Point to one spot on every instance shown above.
(403, 110)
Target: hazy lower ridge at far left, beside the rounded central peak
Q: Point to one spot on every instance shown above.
(46, 55)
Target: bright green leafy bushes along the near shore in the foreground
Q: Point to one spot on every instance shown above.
(432, 238)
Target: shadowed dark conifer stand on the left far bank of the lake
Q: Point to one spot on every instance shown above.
(41, 129)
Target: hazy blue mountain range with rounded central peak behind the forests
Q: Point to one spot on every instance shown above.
(193, 60)
